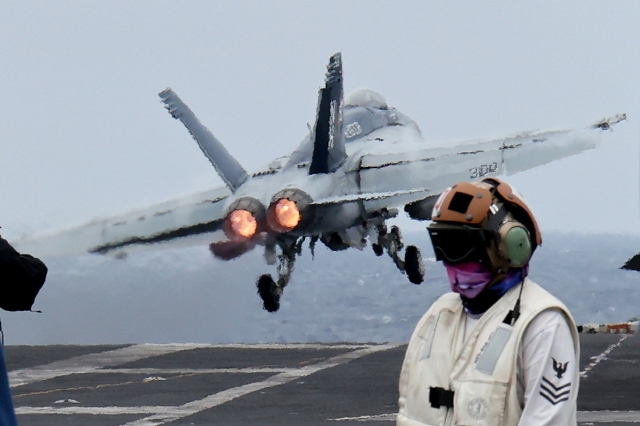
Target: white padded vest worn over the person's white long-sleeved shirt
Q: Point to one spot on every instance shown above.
(476, 374)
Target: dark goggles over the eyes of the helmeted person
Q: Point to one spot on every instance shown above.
(457, 244)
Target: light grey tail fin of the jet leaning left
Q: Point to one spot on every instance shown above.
(227, 167)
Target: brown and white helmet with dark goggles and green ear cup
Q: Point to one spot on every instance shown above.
(485, 220)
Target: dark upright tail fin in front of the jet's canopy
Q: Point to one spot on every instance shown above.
(328, 139)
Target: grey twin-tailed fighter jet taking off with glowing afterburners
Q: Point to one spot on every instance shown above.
(359, 164)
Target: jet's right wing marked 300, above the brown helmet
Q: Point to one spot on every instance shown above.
(437, 168)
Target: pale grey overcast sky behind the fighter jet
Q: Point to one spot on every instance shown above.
(83, 134)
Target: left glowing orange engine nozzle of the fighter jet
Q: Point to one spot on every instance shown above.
(243, 220)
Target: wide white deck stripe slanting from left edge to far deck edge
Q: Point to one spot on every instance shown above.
(92, 362)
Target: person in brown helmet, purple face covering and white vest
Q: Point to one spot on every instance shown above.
(499, 349)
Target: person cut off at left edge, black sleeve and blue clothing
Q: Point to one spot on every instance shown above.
(21, 278)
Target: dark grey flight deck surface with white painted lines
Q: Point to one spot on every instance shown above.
(324, 384)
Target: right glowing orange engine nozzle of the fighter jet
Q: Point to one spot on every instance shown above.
(289, 208)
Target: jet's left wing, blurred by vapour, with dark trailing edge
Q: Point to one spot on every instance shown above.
(185, 221)
